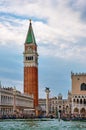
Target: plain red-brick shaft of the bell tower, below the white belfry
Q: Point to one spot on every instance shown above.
(31, 82)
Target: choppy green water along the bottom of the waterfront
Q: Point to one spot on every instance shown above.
(53, 124)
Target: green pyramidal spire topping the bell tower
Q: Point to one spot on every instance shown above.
(30, 35)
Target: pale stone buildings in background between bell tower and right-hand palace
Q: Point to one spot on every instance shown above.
(56, 104)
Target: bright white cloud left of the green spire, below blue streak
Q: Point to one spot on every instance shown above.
(12, 31)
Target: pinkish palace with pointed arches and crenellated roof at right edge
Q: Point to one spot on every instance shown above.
(78, 104)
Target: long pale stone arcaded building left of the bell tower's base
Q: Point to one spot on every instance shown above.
(10, 101)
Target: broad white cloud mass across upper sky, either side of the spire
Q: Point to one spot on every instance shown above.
(58, 36)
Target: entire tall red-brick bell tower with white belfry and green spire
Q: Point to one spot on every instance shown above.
(31, 65)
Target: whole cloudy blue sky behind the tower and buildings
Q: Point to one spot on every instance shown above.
(60, 32)
